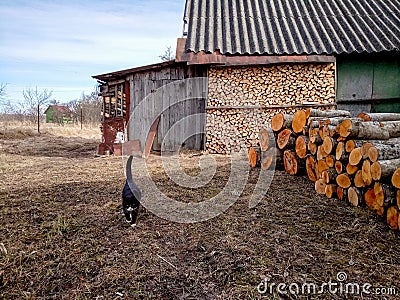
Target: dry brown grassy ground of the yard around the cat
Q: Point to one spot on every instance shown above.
(65, 237)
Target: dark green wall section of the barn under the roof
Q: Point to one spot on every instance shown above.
(369, 82)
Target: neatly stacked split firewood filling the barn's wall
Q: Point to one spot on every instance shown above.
(240, 97)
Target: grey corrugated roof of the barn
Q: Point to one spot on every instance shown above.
(278, 27)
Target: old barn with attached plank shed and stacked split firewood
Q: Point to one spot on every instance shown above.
(253, 59)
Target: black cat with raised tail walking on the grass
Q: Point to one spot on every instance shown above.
(131, 196)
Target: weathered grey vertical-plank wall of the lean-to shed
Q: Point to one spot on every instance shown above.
(148, 84)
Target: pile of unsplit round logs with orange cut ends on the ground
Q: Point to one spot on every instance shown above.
(353, 159)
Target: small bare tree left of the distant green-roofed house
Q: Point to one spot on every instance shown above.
(35, 100)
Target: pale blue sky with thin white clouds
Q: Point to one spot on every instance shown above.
(59, 45)
